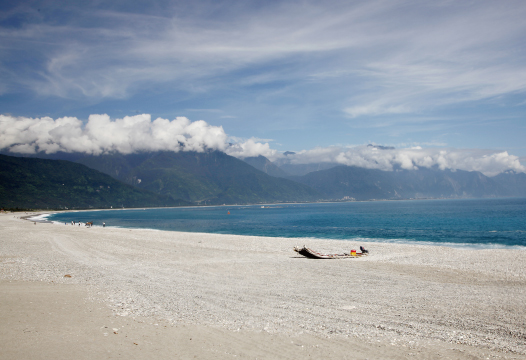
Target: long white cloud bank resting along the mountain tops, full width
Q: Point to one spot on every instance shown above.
(131, 134)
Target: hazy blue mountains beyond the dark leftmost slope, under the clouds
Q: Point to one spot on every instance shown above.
(214, 177)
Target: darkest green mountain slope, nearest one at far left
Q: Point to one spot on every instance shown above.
(39, 183)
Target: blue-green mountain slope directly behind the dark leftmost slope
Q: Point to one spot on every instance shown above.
(204, 178)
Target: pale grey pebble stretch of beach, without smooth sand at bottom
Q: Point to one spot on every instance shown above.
(402, 293)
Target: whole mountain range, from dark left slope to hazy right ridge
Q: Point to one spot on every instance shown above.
(213, 177)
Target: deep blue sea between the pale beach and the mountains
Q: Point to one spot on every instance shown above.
(473, 222)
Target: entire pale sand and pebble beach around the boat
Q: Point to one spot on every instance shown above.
(76, 292)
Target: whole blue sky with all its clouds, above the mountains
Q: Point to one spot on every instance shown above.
(443, 82)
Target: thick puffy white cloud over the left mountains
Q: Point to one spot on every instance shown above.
(102, 135)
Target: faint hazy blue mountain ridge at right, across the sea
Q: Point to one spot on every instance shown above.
(350, 182)
